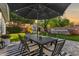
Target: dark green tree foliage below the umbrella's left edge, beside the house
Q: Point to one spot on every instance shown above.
(20, 19)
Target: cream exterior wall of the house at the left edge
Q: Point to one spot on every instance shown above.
(4, 17)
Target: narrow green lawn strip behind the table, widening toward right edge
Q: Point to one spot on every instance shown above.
(67, 37)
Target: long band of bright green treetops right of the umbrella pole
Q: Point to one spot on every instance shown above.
(55, 22)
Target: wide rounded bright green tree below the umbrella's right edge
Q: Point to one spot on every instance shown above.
(58, 22)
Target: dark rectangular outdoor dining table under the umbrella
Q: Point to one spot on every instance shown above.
(41, 41)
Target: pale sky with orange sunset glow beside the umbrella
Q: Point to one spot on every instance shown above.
(72, 13)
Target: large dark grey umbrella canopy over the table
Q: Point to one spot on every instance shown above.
(38, 10)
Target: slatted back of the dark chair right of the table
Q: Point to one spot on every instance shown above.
(58, 47)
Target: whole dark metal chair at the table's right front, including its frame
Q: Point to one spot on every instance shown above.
(58, 45)
